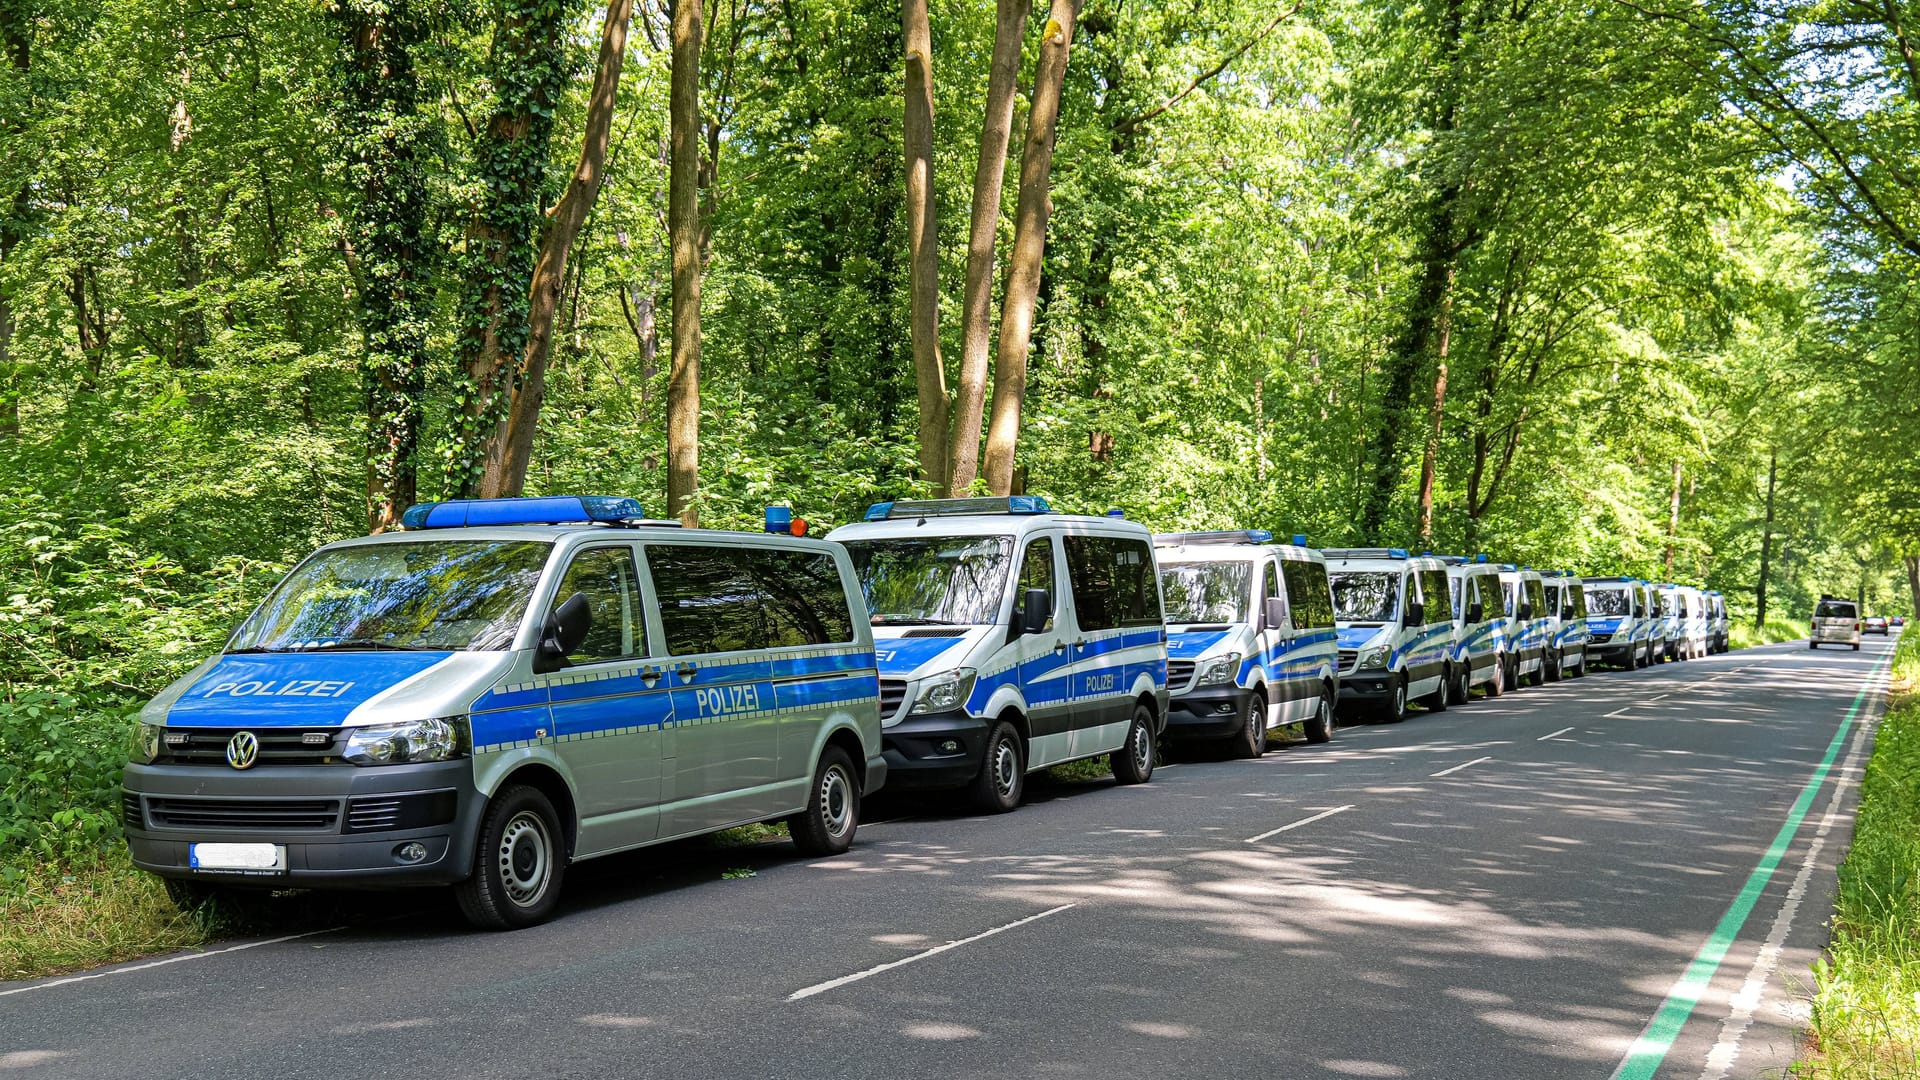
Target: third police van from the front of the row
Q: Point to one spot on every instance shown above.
(1251, 639)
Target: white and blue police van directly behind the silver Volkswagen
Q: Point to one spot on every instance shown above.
(1011, 639)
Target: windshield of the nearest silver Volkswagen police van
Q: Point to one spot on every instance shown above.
(437, 595)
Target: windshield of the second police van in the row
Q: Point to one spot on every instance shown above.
(934, 583)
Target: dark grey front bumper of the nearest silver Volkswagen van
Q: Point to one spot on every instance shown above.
(343, 825)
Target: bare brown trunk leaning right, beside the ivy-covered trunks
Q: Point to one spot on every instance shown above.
(564, 228)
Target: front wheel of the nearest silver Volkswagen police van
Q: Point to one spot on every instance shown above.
(519, 864)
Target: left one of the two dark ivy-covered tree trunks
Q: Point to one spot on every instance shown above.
(387, 147)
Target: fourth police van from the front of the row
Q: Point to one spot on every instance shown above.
(1395, 620)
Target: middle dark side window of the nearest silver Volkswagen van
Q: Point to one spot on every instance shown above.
(709, 599)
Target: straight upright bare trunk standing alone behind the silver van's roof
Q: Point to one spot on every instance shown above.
(684, 237)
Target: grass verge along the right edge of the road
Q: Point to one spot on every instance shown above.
(1867, 989)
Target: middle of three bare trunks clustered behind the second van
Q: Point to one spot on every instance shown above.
(976, 307)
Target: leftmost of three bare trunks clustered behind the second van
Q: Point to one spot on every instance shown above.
(924, 247)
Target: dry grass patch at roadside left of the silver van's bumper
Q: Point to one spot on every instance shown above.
(108, 912)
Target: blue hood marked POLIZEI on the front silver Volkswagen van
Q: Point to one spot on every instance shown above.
(264, 691)
